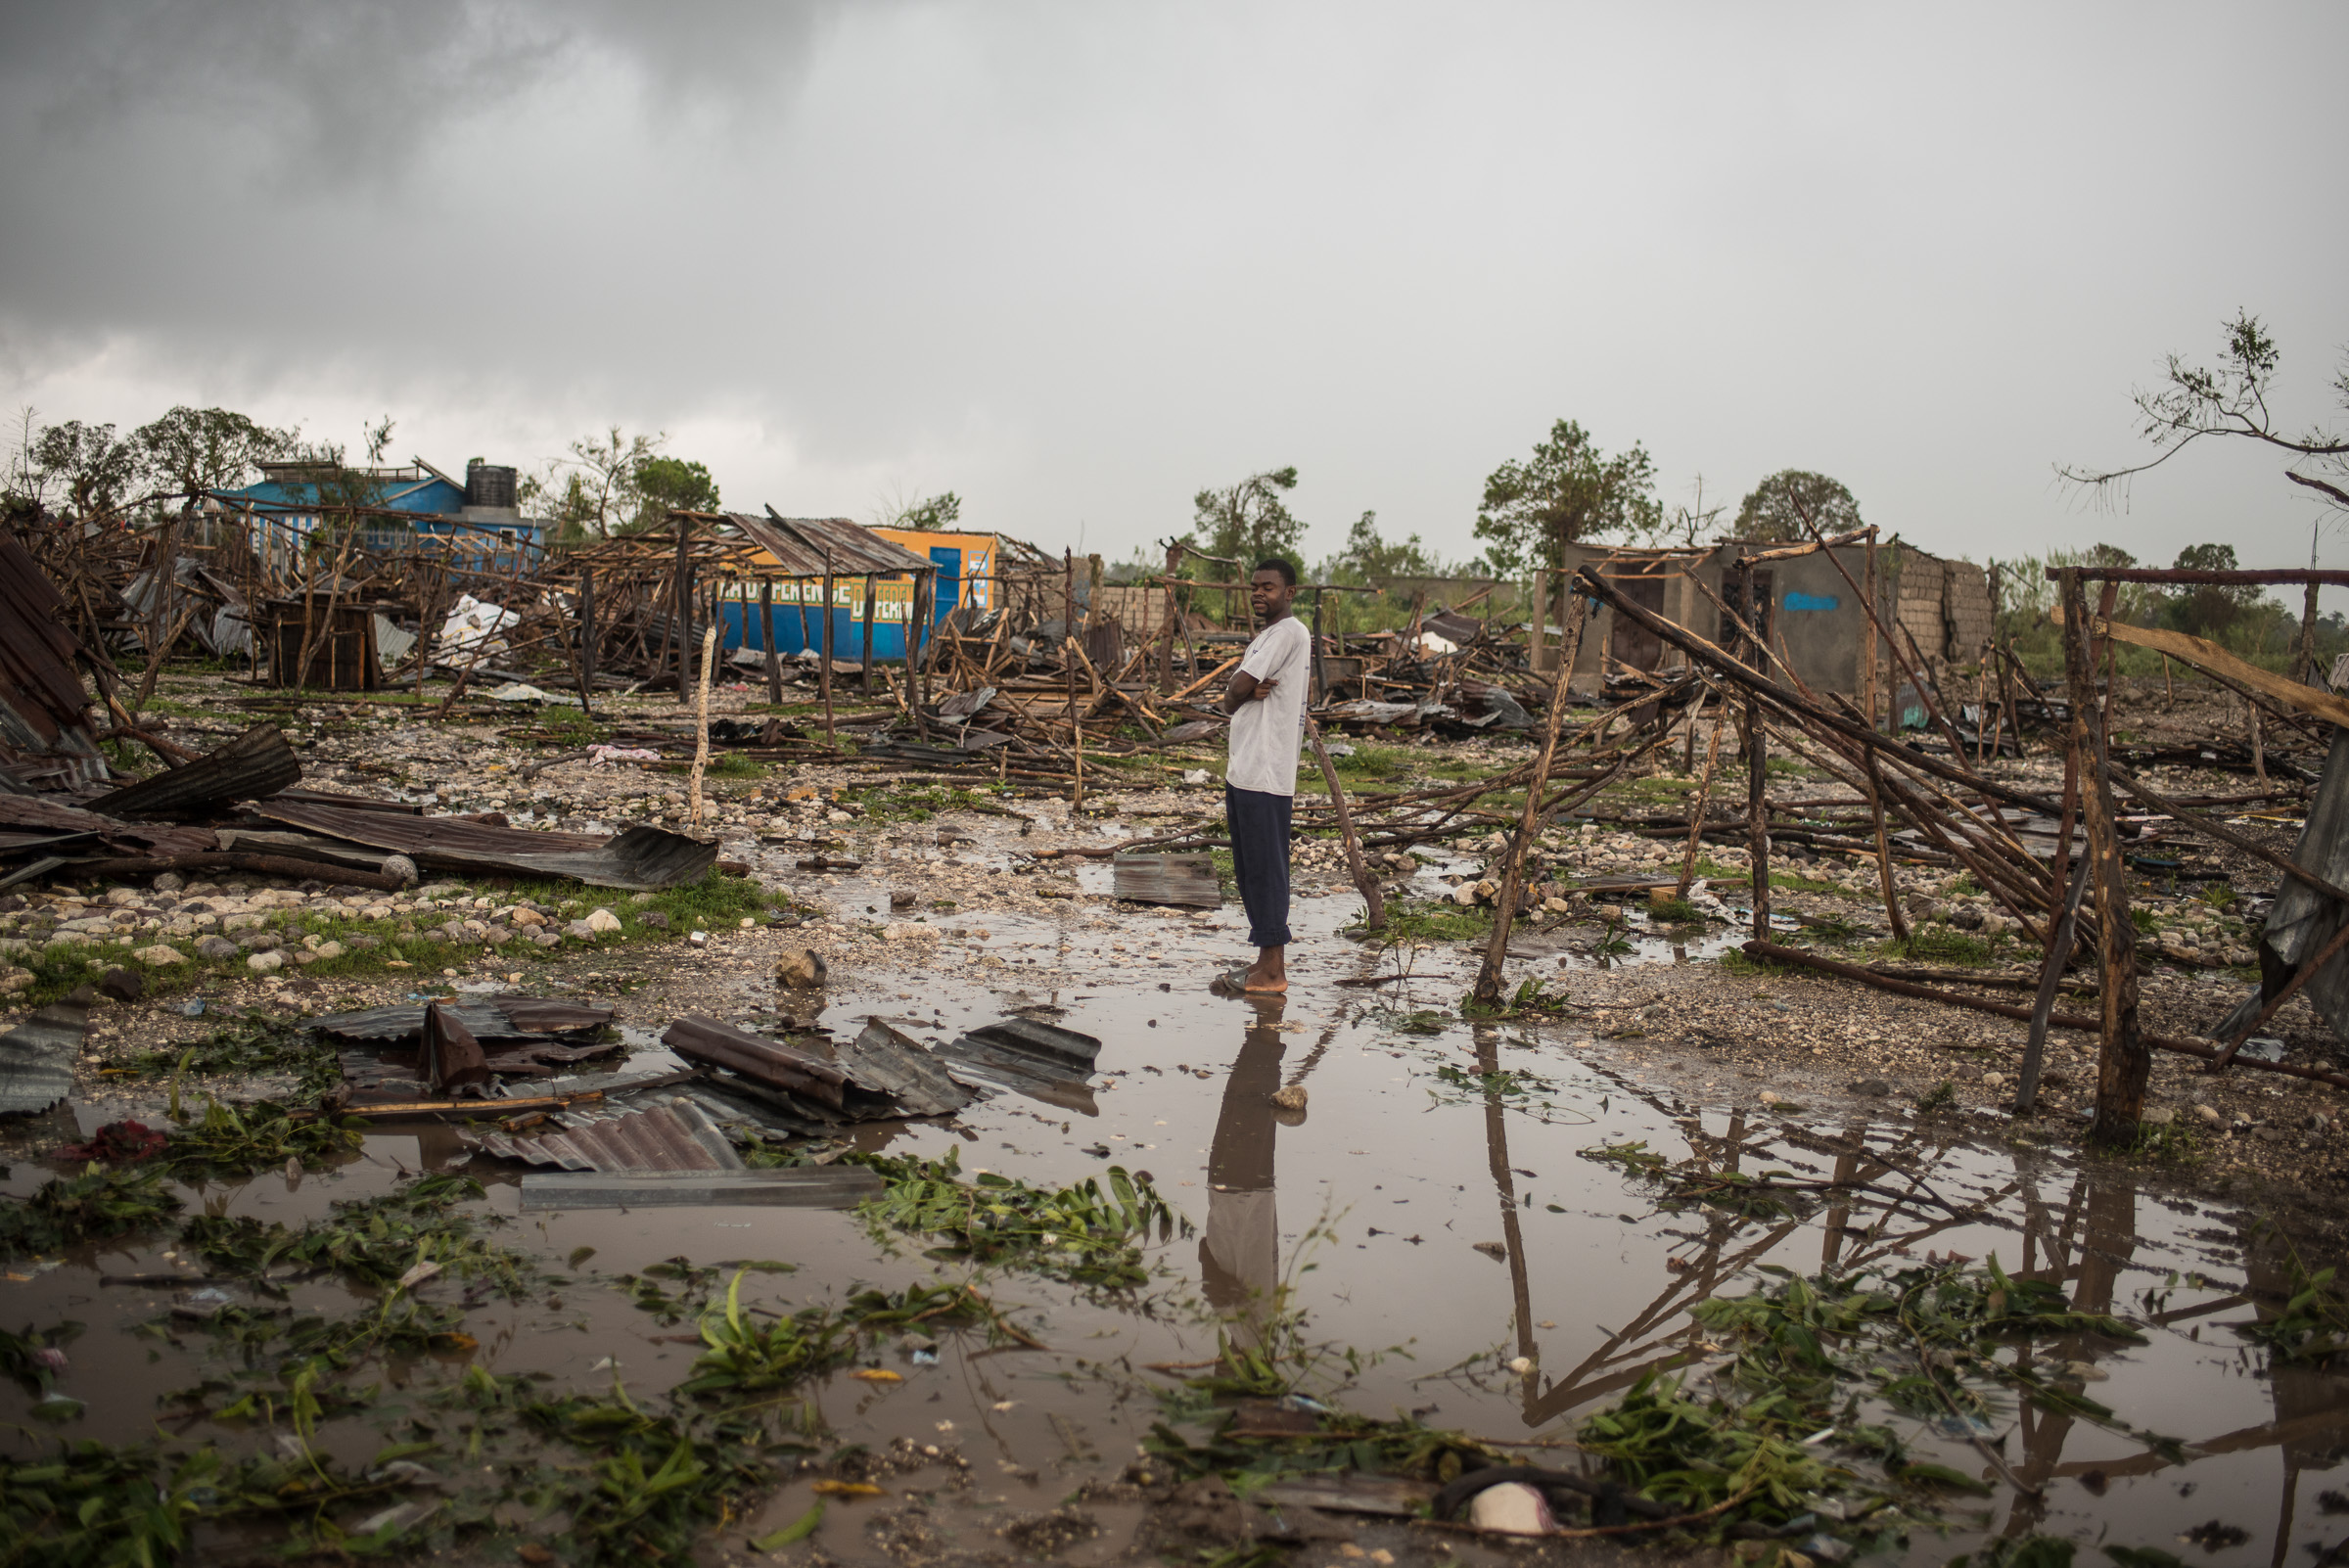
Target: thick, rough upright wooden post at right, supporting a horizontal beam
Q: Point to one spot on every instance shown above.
(2125, 1062)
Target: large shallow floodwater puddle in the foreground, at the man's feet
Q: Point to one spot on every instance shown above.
(1432, 1203)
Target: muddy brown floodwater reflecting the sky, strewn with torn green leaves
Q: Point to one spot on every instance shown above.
(1427, 1203)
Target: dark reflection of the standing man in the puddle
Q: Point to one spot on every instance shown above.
(1239, 1257)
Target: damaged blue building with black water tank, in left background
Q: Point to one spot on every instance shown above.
(412, 508)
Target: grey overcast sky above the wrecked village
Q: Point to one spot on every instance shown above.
(1077, 262)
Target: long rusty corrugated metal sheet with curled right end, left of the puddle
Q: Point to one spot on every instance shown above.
(642, 858)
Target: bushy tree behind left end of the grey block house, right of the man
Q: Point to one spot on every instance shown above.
(1566, 494)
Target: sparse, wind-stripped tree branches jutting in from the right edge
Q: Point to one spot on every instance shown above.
(2195, 403)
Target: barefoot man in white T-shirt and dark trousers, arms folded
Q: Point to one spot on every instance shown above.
(1267, 705)
